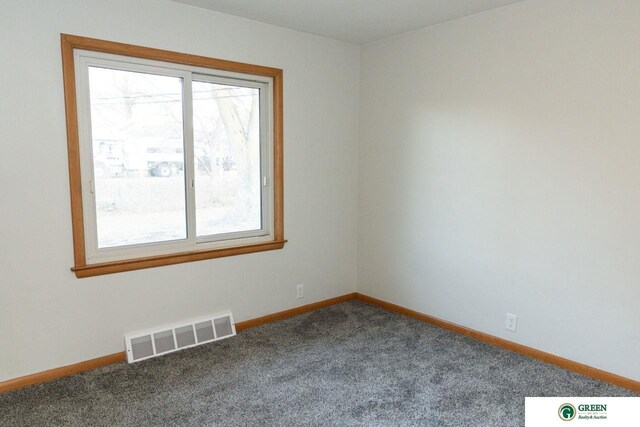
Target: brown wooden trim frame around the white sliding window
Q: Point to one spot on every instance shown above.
(81, 268)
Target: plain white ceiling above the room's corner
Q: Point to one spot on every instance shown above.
(353, 21)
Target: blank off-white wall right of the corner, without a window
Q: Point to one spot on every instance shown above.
(499, 172)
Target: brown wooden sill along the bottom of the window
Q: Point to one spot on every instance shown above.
(177, 258)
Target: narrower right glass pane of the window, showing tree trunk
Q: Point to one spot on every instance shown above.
(227, 158)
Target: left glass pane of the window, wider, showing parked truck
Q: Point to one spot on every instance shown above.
(138, 157)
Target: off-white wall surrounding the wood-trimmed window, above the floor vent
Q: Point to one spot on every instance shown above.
(48, 318)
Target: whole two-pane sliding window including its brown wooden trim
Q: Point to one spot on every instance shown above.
(172, 157)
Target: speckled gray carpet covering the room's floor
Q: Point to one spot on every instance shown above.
(351, 364)
